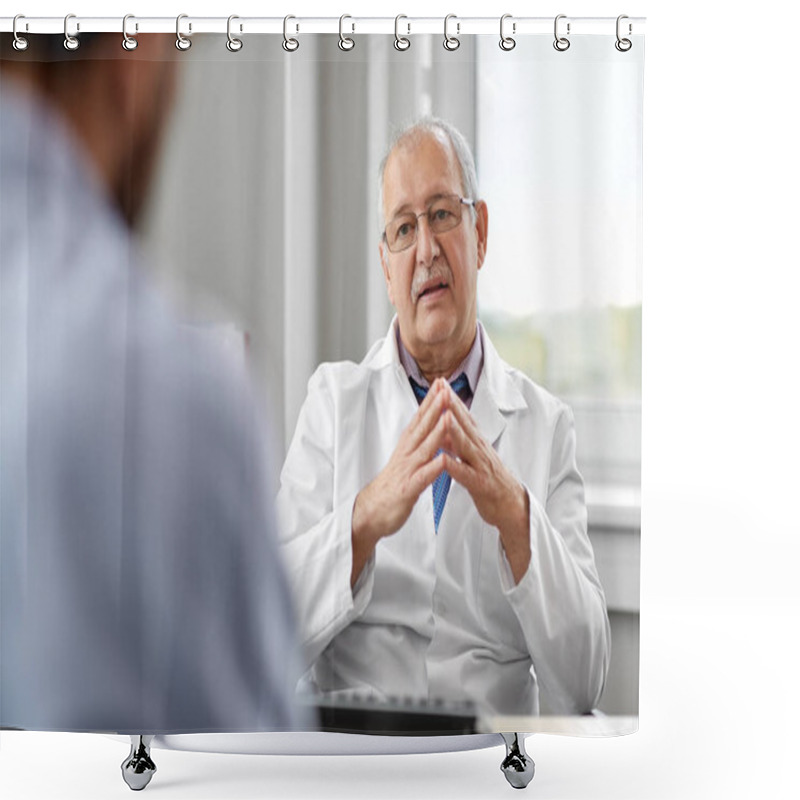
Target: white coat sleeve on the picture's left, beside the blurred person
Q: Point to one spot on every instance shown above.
(315, 533)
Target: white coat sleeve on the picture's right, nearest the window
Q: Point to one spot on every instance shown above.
(559, 601)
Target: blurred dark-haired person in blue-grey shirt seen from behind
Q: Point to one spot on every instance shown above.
(141, 584)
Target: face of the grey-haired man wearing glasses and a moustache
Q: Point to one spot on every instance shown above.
(433, 283)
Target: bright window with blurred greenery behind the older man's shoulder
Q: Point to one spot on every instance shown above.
(560, 292)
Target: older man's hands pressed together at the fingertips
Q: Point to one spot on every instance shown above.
(442, 436)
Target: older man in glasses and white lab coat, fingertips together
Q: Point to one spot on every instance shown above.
(432, 514)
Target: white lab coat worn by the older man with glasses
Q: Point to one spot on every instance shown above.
(438, 615)
